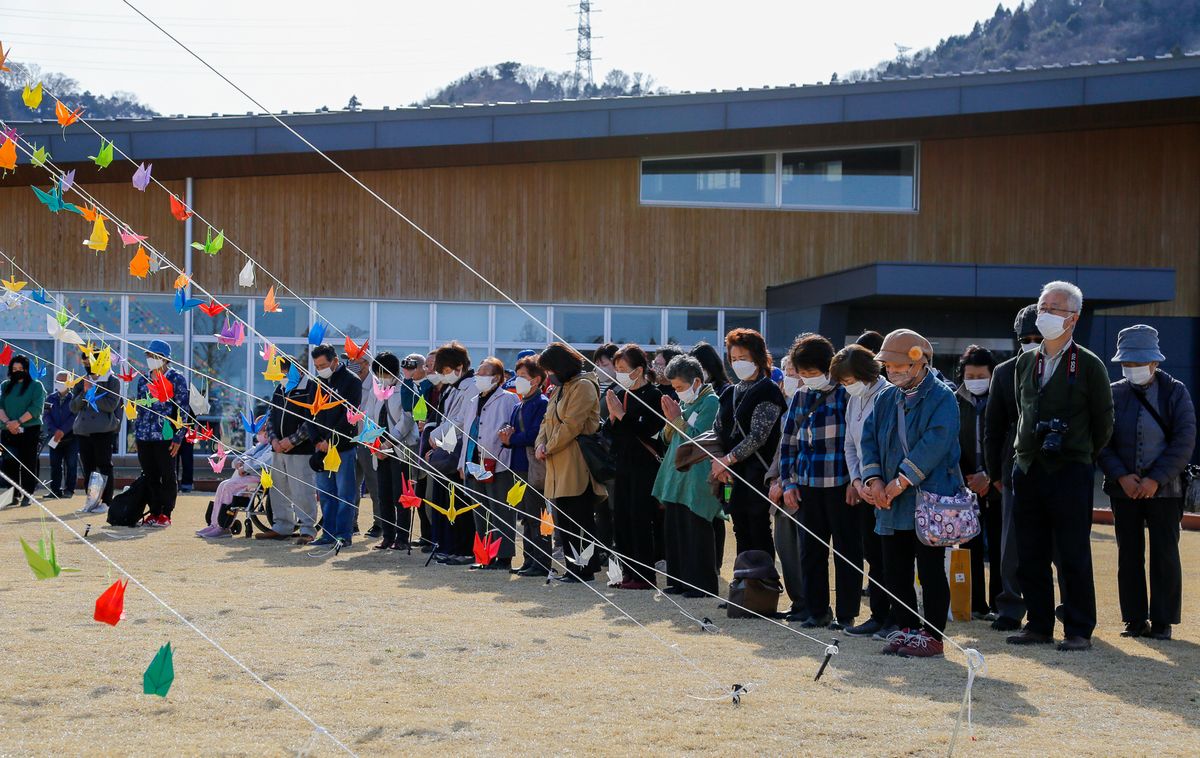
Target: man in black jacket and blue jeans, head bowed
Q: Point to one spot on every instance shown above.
(332, 431)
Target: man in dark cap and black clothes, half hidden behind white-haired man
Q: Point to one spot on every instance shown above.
(1000, 432)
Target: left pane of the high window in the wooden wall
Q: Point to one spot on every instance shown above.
(718, 181)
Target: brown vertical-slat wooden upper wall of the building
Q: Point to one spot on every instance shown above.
(574, 232)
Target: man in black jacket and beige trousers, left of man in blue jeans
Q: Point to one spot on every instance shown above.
(293, 496)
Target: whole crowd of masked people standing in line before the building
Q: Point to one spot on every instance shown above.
(647, 460)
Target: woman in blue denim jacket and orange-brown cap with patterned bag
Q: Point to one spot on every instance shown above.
(892, 477)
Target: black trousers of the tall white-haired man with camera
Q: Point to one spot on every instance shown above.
(1053, 510)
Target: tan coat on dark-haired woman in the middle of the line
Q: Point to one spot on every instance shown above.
(574, 410)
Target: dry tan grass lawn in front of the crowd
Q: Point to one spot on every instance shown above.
(394, 658)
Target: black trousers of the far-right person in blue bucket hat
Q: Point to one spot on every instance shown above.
(1161, 518)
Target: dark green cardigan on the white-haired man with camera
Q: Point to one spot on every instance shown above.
(1085, 405)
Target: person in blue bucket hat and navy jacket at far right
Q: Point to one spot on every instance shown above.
(1154, 437)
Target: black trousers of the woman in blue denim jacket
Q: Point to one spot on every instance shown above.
(899, 552)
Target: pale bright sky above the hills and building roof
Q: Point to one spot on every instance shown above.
(301, 56)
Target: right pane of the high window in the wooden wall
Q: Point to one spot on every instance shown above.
(859, 178)
